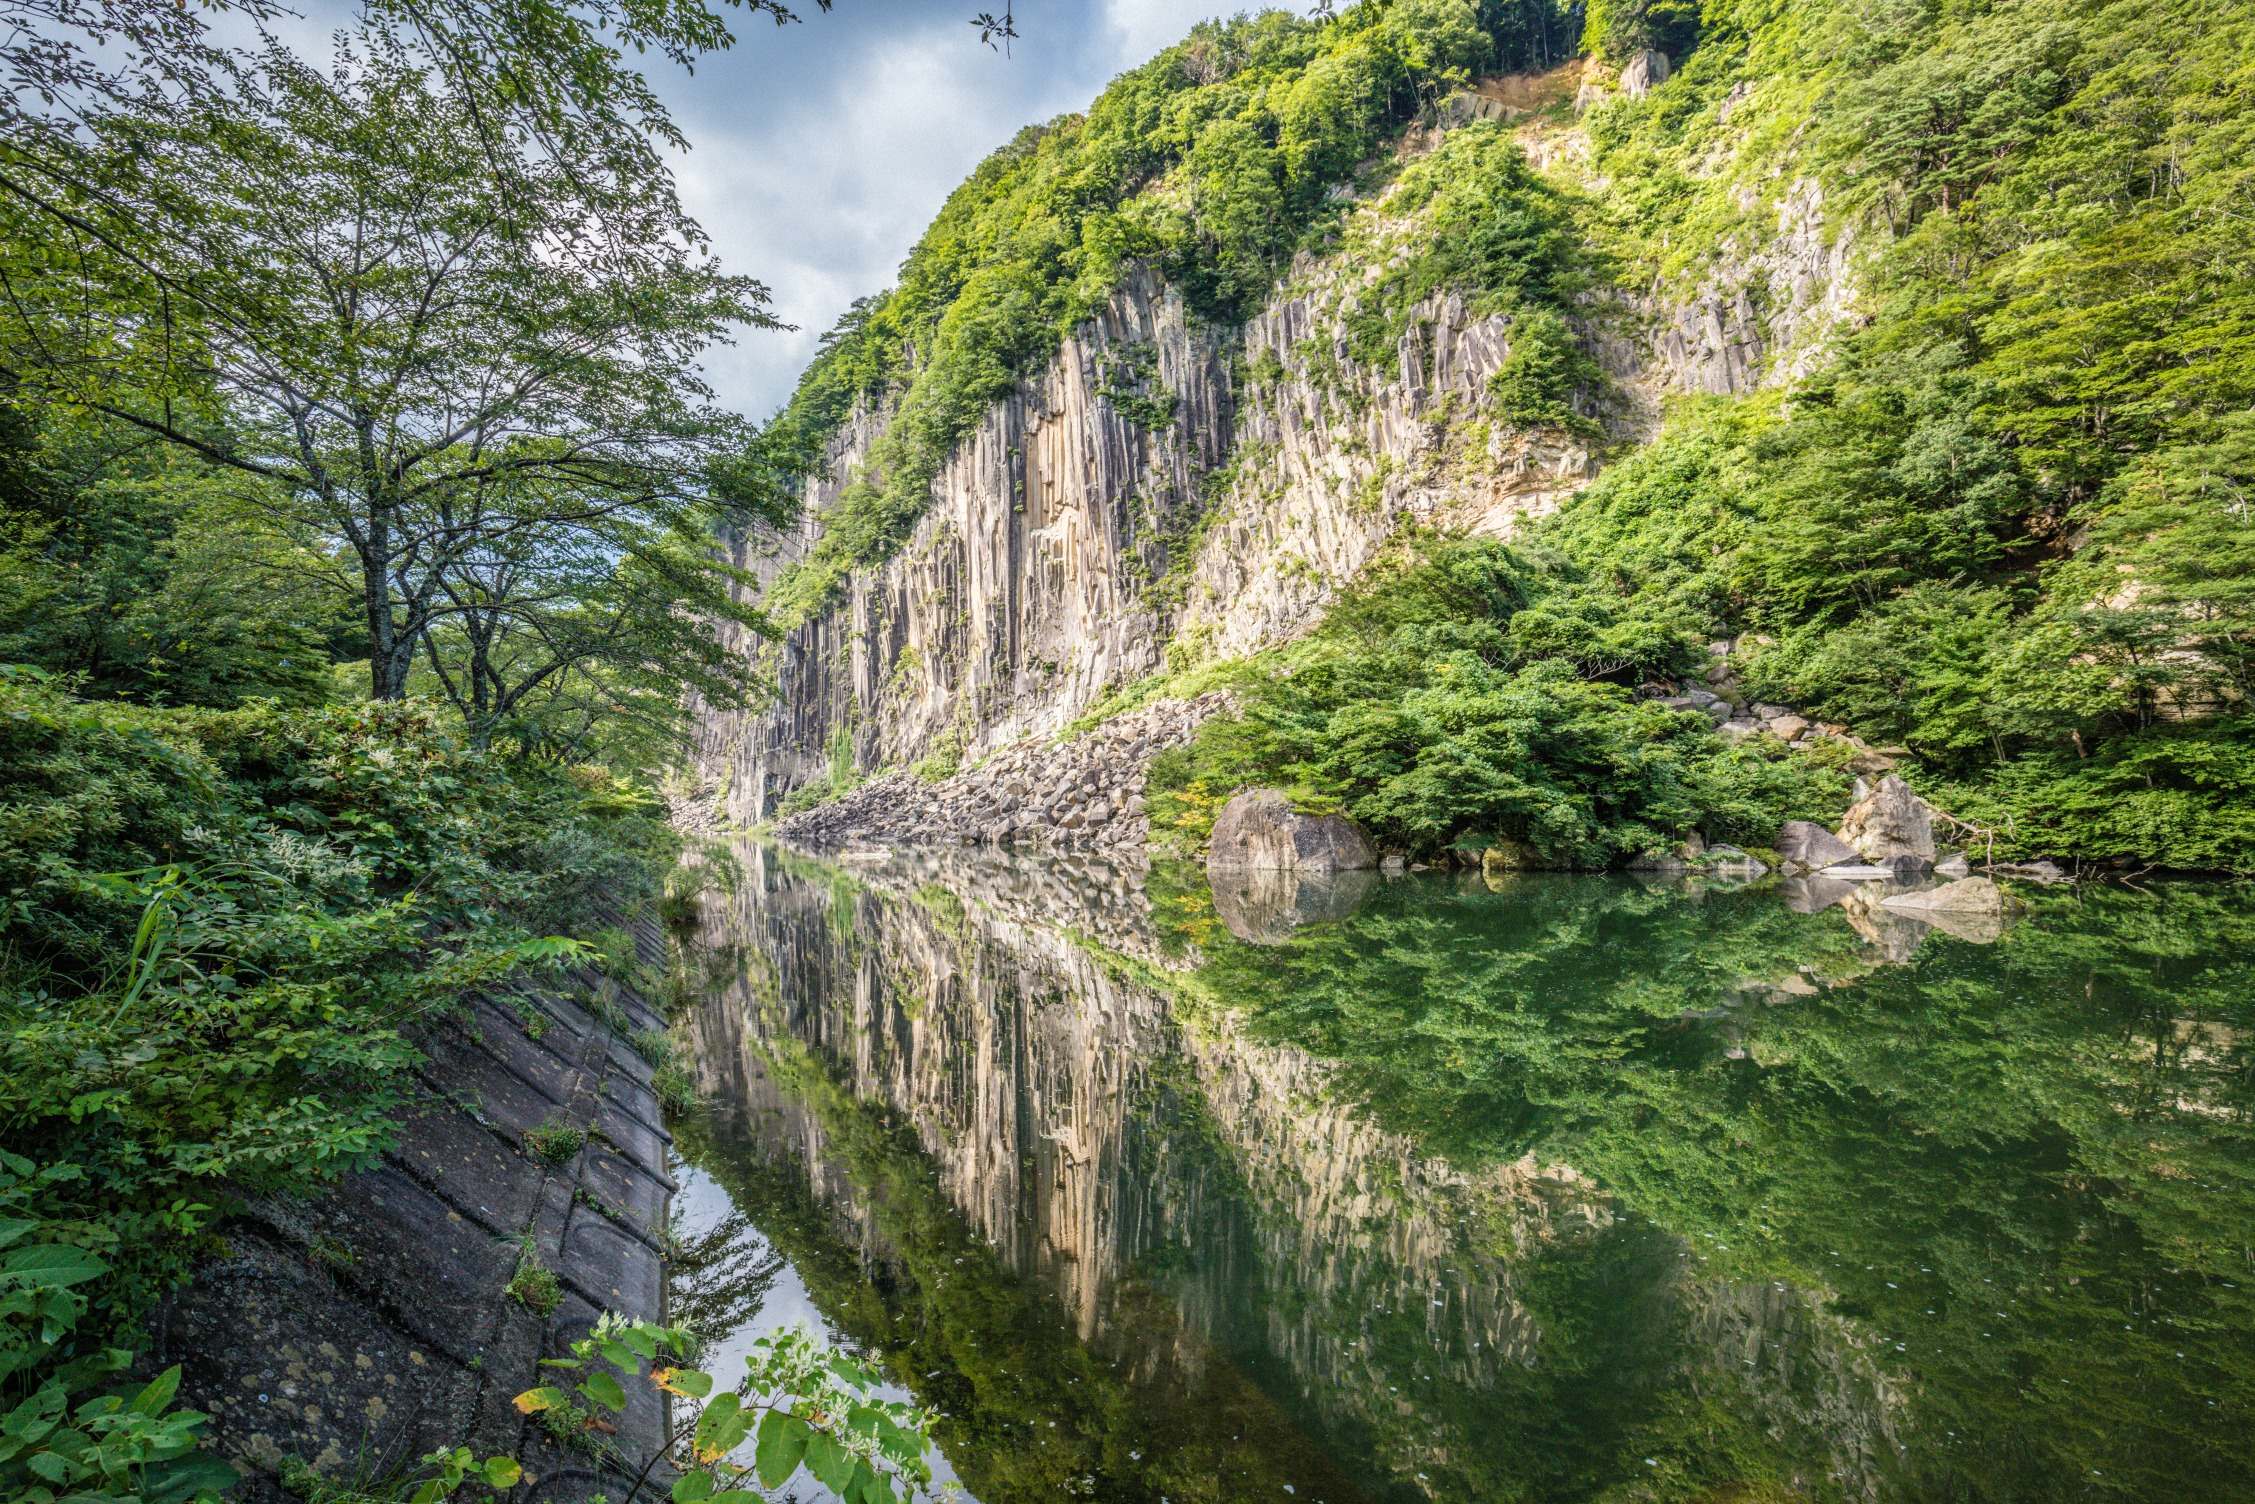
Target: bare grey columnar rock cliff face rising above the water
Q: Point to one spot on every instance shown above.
(1165, 493)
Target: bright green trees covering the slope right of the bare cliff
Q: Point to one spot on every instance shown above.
(2006, 524)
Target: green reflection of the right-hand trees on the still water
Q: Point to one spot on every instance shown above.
(2019, 1176)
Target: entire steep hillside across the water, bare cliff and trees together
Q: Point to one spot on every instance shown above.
(1889, 366)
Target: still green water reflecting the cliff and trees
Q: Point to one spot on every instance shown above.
(1548, 1189)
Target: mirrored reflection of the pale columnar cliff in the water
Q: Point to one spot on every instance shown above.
(1205, 1207)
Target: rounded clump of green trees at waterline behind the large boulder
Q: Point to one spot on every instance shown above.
(1431, 707)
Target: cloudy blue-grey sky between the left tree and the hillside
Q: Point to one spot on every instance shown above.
(822, 150)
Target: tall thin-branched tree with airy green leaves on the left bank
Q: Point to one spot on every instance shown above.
(326, 283)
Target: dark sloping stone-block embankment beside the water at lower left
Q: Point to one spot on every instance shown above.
(364, 1329)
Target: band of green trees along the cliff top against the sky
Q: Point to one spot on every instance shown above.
(1212, 163)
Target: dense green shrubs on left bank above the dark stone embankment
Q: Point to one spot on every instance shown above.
(220, 937)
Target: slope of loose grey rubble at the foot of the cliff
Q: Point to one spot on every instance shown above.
(1072, 795)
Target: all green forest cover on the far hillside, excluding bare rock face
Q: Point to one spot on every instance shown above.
(1988, 511)
